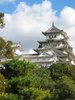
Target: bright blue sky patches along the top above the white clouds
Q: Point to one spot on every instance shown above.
(8, 7)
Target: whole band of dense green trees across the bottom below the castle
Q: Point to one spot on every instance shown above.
(26, 81)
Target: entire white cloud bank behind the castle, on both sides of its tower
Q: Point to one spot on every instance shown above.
(27, 22)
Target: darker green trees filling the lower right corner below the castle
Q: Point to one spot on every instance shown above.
(62, 74)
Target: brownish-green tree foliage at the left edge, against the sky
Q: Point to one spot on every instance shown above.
(5, 47)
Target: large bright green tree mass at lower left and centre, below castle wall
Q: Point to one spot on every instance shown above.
(25, 80)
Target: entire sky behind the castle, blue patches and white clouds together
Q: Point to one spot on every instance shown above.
(26, 19)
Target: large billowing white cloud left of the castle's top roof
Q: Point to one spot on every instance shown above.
(26, 23)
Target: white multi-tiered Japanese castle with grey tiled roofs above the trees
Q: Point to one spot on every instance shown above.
(55, 48)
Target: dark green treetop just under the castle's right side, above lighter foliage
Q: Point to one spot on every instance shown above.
(60, 69)
